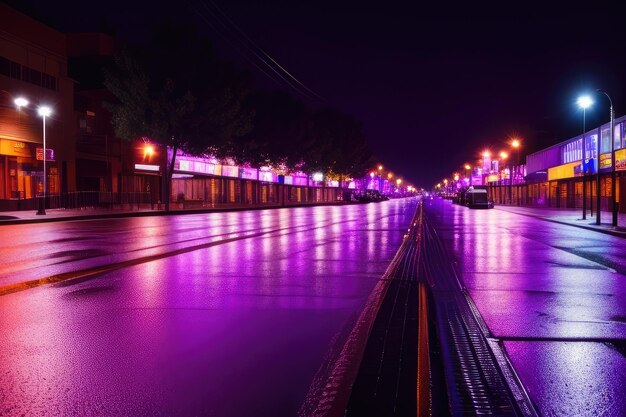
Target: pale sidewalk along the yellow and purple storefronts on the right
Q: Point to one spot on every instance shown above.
(573, 217)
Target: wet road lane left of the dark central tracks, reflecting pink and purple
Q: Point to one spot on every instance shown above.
(223, 314)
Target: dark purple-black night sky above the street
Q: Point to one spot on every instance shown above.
(434, 85)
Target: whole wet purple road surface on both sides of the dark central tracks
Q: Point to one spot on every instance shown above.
(233, 314)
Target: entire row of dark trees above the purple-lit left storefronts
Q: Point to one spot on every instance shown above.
(179, 93)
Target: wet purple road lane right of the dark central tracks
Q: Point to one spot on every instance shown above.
(555, 295)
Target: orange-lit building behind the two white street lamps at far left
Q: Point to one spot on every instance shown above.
(33, 65)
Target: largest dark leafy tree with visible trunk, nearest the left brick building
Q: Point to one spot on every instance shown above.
(177, 93)
